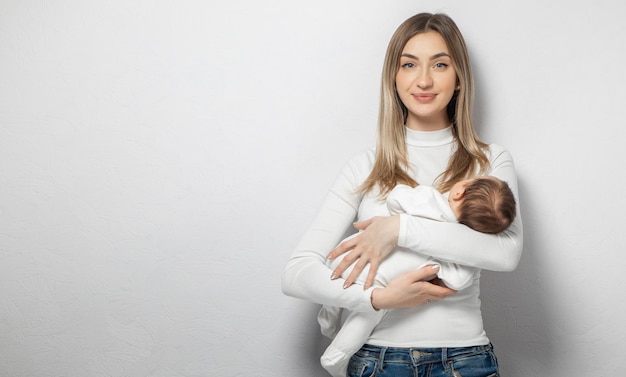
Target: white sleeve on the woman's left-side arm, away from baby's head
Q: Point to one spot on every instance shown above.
(306, 275)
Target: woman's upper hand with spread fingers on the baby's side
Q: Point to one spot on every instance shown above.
(378, 237)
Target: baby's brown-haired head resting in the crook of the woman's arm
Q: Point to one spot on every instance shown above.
(485, 204)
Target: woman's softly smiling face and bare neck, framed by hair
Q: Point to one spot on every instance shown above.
(426, 81)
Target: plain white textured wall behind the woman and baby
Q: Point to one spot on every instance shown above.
(160, 159)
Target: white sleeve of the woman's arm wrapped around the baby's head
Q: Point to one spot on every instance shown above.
(460, 244)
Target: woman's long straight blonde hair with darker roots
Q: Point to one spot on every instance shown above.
(391, 165)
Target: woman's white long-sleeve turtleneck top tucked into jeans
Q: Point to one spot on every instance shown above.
(455, 321)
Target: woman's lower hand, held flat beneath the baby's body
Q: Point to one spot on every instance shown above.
(411, 289)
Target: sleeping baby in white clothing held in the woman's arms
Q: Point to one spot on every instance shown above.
(485, 204)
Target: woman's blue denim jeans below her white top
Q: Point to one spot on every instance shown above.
(375, 361)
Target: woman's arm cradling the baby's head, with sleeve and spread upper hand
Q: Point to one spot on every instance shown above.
(446, 241)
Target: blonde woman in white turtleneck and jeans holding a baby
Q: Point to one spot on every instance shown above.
(425, 136)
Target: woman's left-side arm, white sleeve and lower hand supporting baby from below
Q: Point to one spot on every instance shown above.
(306, 275)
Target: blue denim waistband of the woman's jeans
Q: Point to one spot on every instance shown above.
(419, 355)
